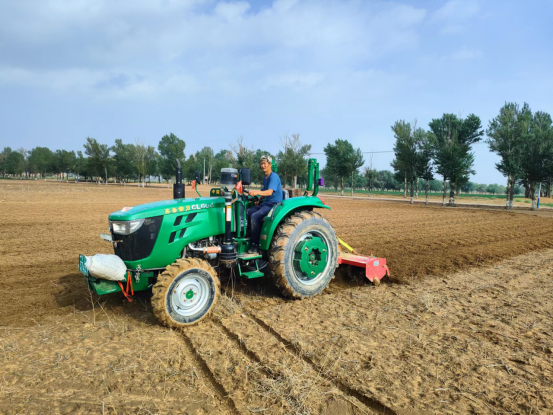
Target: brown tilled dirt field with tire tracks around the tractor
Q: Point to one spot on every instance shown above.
(473, 336)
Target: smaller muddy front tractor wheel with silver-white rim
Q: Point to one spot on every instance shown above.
(185, 293)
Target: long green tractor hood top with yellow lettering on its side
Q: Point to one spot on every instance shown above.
(168, 207)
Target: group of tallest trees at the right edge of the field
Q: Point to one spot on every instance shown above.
(522, 139)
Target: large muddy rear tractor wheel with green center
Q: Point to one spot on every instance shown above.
(303, 254)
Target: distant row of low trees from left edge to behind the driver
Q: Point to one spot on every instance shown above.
(138, 162)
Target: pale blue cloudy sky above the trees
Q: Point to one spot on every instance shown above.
(212, 71)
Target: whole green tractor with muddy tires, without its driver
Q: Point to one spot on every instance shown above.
(175, 247)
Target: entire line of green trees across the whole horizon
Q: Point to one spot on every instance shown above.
(522, 139)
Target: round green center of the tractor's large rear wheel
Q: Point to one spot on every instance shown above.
(310, 257)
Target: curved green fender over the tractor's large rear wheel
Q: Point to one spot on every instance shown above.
(283, 209)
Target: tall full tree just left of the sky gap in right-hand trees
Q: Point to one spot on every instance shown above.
(453, 157)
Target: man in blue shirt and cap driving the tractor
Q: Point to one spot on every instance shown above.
(270, 194)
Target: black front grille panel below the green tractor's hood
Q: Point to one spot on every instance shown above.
(138, 245)
